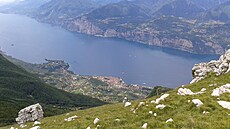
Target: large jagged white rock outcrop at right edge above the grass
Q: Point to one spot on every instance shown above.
(218, 67)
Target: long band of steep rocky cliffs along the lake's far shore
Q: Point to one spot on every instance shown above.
(140, 34)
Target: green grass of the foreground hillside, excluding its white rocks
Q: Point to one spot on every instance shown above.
(185, 115)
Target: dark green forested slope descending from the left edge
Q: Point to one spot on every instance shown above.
(19, 89)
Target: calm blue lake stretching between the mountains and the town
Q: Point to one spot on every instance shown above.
(26, 39)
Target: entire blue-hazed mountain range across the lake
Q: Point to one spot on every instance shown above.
(139, 21)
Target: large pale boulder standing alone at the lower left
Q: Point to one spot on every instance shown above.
(30, 113)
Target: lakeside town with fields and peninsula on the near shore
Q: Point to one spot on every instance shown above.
(109, 89)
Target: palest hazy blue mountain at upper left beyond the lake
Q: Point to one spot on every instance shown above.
(58, 11)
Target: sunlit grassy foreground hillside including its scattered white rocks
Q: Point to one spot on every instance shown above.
(202, 104)
